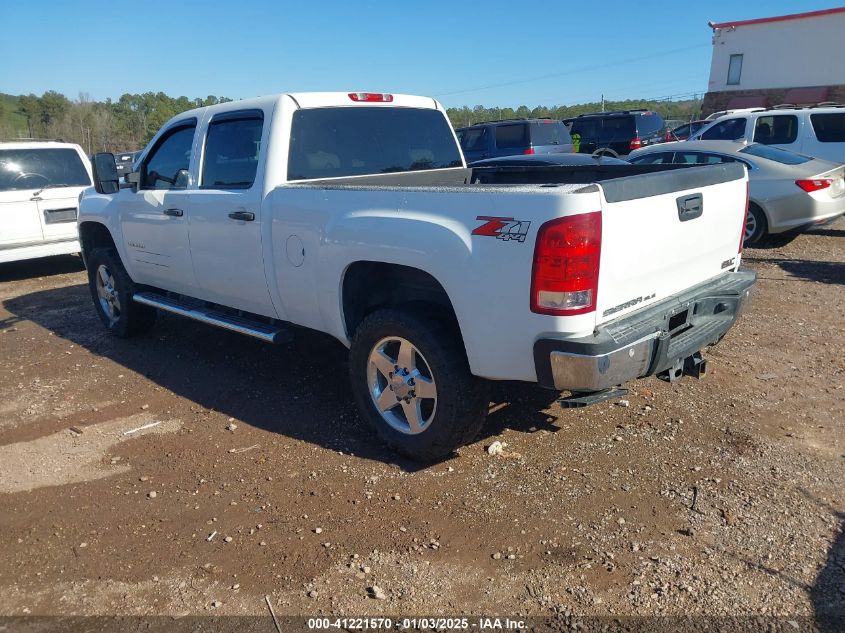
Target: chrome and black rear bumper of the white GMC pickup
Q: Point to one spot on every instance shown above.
(649, 341)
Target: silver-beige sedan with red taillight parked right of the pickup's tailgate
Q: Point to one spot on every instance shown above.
(786, 191)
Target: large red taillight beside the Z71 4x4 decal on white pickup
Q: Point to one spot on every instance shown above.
(565, 277)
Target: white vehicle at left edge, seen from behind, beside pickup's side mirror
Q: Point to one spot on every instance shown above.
(40, 183)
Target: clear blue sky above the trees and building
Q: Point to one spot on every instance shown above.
(464, 53)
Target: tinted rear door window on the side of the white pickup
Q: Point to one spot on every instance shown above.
(231, 151)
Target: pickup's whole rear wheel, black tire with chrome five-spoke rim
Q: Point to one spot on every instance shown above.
(412, 383)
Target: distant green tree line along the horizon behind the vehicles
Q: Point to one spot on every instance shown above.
(130, 122)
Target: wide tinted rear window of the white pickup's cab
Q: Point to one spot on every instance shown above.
(356, 141)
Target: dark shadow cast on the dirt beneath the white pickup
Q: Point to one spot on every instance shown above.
(300, 389)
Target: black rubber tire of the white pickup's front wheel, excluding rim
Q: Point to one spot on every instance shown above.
(130, 319)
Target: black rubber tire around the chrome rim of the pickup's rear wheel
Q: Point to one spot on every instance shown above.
(462, 399)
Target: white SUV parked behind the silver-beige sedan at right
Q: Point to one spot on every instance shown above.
(816, 131)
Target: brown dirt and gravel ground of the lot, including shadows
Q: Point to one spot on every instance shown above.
(718, 496)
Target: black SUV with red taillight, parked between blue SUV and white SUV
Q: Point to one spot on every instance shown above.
(617, 133)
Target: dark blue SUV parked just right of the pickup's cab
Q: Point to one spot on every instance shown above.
(519, 136)
